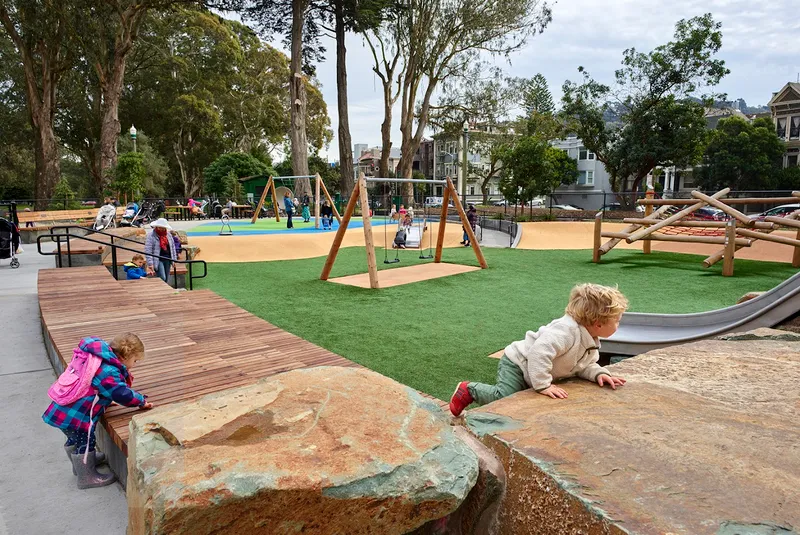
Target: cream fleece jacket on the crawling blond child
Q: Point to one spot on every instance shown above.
(560, 349)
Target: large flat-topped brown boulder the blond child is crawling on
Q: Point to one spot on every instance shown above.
(703, 439)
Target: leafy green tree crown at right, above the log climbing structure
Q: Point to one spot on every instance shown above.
(654, 120)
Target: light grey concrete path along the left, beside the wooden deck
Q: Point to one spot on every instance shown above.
(37, 489)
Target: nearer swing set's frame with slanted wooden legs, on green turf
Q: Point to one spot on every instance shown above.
(360, 193)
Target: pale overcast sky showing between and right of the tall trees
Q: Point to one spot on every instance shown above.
(758, 46)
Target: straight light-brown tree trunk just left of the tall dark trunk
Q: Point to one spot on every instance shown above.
(297, 95)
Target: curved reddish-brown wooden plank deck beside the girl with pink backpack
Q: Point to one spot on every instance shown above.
(196, 342)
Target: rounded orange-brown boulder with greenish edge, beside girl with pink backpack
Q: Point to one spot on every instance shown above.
(316, 451)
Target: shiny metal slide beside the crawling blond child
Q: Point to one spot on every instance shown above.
(639, 333)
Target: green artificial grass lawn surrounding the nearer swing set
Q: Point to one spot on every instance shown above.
(432, 334)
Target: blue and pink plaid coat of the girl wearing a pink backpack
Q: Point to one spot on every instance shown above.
(112, 382)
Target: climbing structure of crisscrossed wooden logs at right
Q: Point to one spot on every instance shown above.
(739, 231)
